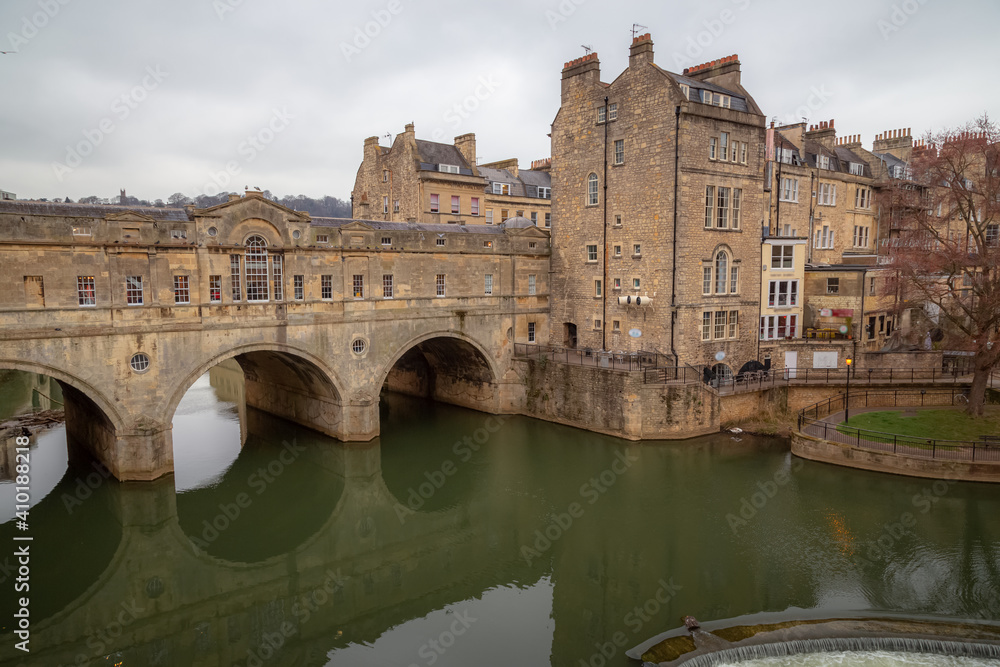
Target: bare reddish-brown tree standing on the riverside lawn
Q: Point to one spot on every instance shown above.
(947, 253)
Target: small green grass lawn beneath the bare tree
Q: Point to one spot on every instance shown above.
(932, 424)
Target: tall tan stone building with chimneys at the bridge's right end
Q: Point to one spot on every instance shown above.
(657, 183)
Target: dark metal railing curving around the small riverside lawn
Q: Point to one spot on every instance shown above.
(812, 422)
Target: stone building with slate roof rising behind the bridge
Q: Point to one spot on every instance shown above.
(433, 183)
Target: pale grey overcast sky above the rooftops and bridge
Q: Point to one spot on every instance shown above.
(206, 95)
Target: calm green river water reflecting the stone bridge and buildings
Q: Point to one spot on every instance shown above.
(275, 545)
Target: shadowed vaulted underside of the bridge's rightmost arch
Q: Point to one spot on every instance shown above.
(448, 366)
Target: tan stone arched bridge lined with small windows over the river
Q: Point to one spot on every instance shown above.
(127, 308)
